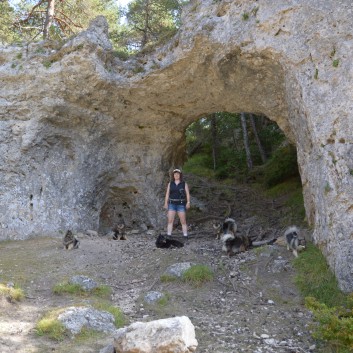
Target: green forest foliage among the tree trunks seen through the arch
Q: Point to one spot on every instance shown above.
(231, 157)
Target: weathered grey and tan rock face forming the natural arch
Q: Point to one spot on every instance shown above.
(86, 139)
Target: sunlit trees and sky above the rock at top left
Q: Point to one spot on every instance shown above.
(141, 24)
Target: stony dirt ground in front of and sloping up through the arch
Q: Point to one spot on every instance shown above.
(251, 305)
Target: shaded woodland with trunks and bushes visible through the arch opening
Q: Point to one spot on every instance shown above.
(247, 149)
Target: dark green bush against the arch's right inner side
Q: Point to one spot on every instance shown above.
(282, 165)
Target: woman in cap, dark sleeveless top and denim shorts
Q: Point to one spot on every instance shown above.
(177, 200)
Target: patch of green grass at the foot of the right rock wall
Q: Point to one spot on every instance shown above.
(315, 279)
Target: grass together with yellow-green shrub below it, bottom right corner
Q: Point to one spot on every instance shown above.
(331, 308)
